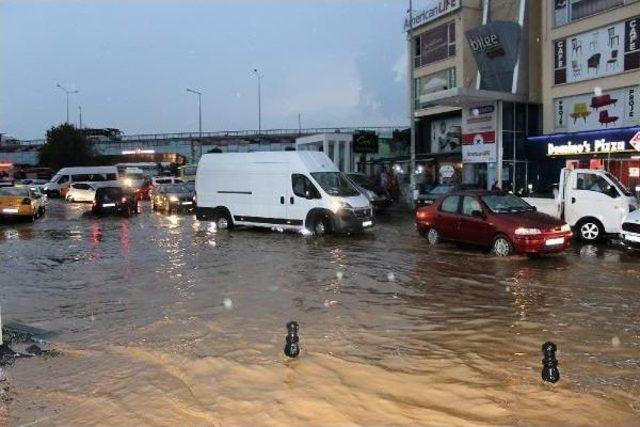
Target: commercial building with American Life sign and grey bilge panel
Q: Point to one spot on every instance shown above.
(476, 89)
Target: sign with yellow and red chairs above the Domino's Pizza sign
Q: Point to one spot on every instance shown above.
(614, 108)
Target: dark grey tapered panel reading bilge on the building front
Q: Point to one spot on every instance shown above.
(495, 48)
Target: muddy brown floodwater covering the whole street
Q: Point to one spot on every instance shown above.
(161, 320)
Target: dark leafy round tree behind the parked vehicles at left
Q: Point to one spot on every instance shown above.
(66, 146)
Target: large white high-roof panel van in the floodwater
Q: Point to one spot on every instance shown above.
(294, 190)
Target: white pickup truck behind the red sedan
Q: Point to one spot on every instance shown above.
(594, 202)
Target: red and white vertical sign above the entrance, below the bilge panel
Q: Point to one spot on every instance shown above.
(479, 134)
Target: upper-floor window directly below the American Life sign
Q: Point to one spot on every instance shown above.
(435, 45)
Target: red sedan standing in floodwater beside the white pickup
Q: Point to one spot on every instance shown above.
(504, 222)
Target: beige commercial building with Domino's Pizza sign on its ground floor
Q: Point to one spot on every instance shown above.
(590, 89)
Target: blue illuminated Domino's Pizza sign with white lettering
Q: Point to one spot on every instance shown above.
(624, 140)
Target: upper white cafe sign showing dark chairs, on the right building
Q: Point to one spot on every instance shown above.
(604, 51)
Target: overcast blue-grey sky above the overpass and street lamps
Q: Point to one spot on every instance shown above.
(337, 62)
